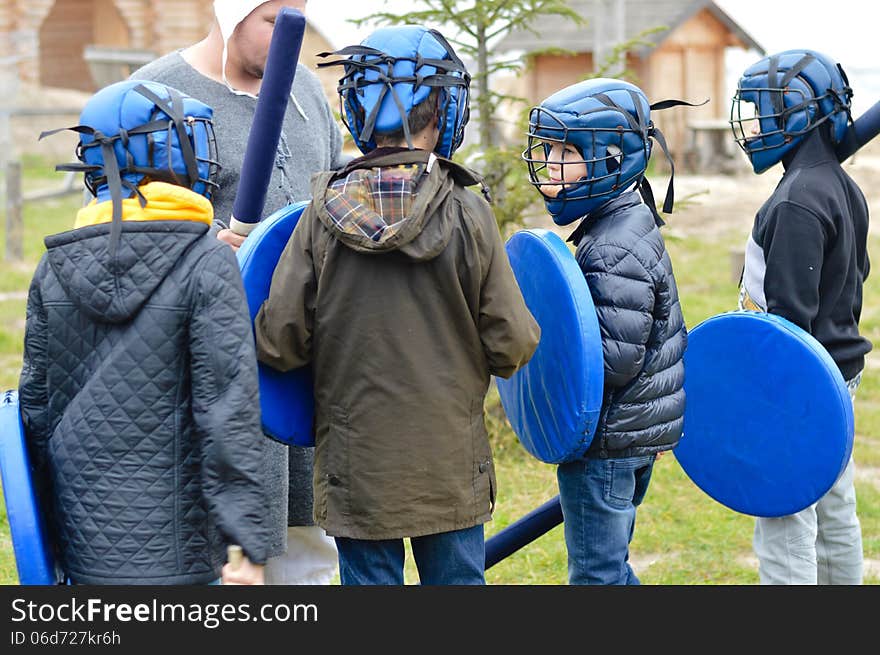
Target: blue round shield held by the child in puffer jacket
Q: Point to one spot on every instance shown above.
(553, 402)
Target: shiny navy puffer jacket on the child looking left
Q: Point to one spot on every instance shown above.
(622, 254)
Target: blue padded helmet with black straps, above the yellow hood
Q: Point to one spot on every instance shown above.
(133, 132)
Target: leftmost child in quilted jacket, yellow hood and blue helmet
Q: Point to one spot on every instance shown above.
(136, 389)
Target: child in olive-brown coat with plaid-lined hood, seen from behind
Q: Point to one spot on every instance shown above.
(396, 287)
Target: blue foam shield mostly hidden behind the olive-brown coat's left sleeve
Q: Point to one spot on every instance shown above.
(286, 399)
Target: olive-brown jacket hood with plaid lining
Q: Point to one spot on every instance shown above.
(389, 201)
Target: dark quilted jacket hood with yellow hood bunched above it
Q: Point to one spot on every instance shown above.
(113, 289)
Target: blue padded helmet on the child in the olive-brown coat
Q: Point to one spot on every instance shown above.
(393, 70)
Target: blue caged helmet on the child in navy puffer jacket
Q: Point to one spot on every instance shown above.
(609, 122)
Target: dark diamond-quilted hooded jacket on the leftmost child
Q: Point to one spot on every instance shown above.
(139, 398)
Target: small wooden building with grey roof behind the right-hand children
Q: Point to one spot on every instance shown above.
(685, 60)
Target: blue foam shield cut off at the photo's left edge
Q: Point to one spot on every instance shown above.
(30, 542)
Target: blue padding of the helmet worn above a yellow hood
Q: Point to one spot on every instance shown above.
(120, 108)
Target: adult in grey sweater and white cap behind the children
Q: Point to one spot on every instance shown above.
(224, 70)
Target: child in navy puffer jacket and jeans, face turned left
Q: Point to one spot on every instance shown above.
(588, 148)
